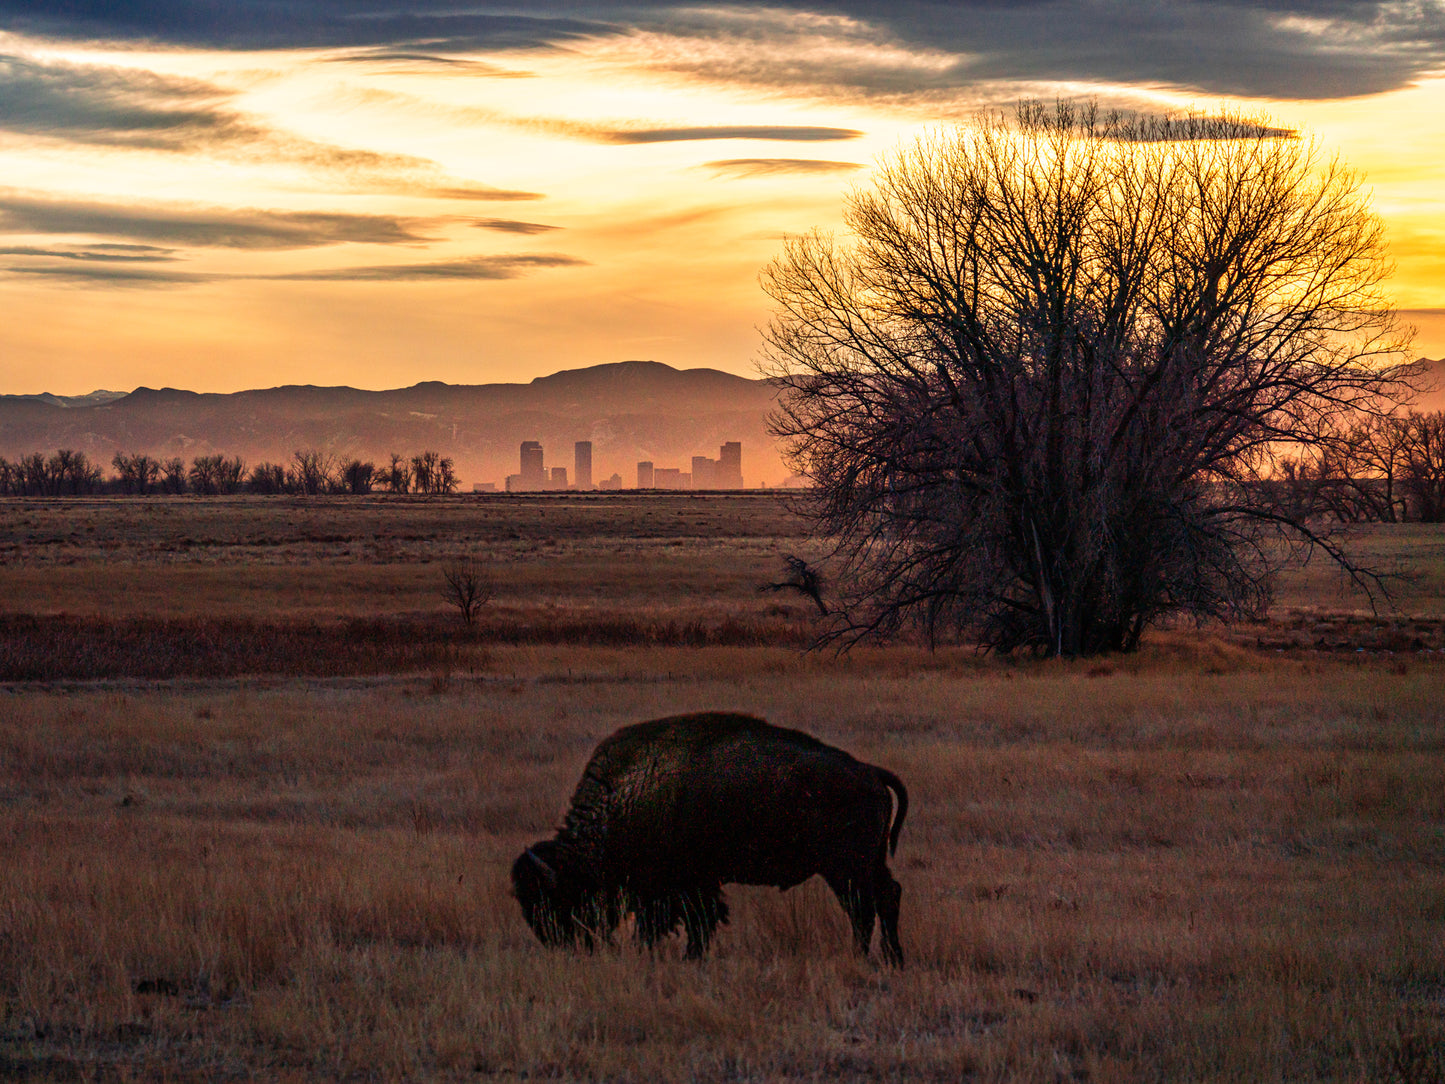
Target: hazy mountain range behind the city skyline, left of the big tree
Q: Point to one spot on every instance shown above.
(629, 411)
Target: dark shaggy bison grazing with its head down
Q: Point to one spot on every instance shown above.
(670, 812)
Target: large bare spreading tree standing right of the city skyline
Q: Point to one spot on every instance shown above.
(1041, 390)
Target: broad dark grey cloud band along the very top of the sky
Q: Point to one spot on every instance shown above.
(907, 48)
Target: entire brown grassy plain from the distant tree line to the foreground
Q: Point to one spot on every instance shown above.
(261, 790)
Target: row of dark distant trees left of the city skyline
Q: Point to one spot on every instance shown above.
(72, 473)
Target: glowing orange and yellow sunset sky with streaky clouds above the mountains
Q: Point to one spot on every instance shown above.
(232, 194)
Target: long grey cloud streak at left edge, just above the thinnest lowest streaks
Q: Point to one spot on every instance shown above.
(209, 228)
